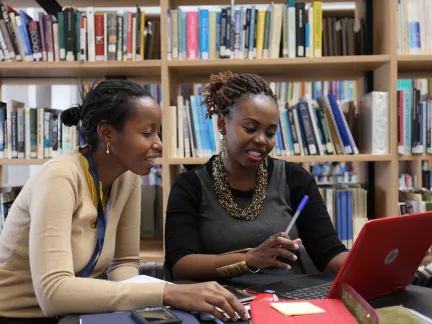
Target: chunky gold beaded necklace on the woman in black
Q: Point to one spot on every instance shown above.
(226, 197)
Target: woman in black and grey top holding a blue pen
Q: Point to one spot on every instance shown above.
(227, 217)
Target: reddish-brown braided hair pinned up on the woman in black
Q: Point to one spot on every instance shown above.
(225, 88)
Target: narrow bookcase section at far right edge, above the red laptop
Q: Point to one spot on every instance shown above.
(414, 106)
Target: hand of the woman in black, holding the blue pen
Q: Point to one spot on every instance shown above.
(264, 256)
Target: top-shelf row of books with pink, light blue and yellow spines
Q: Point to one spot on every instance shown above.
(295, 29)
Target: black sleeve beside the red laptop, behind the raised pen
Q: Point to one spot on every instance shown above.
(314, 224)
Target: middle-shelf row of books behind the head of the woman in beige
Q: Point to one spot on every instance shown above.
(38, 133)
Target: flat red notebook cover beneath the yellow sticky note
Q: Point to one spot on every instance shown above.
(335, 313)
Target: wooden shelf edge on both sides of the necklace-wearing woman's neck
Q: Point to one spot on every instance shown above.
(302, 159)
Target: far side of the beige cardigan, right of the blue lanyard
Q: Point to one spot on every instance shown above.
(125, 263)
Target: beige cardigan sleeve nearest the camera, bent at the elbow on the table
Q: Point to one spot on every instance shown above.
(57, 289)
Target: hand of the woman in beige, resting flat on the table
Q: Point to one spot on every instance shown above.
(204, 297)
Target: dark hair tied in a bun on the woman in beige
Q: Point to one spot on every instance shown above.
(109, 102)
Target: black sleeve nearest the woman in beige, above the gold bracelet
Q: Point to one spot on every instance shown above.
(181, 224)
